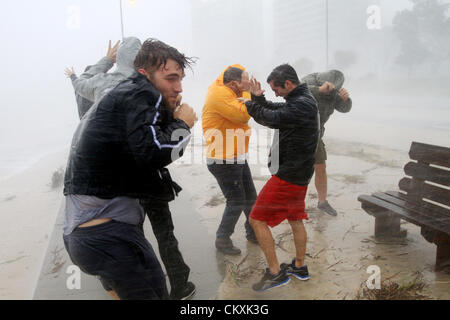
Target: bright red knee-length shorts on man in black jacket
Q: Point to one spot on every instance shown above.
(280, 200)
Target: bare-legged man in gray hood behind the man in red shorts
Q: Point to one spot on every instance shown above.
(327, 89)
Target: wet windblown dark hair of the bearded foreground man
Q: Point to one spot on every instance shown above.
(155, 53)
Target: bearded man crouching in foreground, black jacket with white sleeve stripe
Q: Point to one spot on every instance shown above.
(119, 154)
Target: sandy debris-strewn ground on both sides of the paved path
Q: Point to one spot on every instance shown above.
(339, 249)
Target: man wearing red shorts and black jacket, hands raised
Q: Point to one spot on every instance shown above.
(291, 162)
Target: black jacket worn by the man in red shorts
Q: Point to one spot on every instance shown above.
(295, 142)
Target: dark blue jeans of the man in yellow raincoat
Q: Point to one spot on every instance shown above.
(236, 183)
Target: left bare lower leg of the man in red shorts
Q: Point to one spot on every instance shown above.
(266, 243)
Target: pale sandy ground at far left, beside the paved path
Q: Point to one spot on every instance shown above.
(28, 209)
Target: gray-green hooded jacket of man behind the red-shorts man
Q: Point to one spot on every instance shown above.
(328, 103)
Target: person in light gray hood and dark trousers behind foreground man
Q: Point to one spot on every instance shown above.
(95, 85)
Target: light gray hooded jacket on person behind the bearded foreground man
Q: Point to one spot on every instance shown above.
(96, 82)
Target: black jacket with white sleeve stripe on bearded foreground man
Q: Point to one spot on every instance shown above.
(123, 144)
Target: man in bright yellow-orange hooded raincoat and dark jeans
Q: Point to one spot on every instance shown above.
(227, 135)
